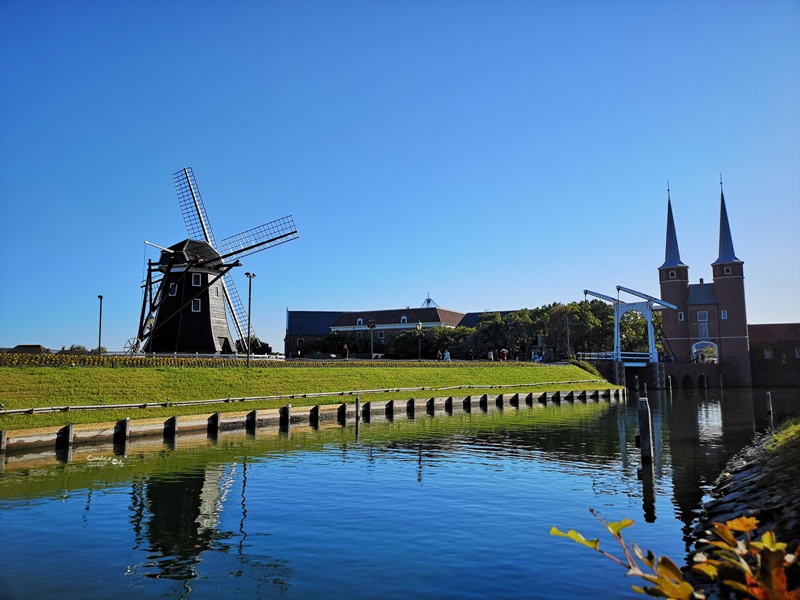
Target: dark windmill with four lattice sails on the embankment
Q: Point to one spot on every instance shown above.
(190, 290)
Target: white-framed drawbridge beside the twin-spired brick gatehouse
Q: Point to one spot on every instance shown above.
(645, 307)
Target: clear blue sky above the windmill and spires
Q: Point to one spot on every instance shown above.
(495, 155)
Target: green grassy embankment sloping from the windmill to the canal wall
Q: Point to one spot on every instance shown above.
(33, 387)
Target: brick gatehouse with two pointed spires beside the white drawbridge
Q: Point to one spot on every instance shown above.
(711, 320)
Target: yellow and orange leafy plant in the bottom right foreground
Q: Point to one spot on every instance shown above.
(747, 568)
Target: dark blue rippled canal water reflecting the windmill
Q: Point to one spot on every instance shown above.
(432, 507)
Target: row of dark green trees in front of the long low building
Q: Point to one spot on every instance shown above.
(551, 332)
